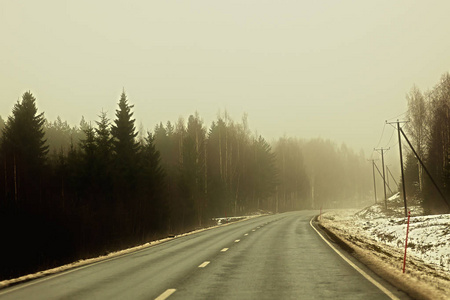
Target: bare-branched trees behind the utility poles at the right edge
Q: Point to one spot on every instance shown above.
(428, 130)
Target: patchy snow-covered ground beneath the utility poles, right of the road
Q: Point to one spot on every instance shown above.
(382, 233)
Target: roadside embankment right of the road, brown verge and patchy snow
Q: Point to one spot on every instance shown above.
(376, 238)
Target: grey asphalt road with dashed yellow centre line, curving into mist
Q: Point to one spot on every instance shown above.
(271, 257)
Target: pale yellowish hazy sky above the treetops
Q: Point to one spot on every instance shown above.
(330, 69)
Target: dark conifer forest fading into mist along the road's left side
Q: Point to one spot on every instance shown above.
(73, 192)
